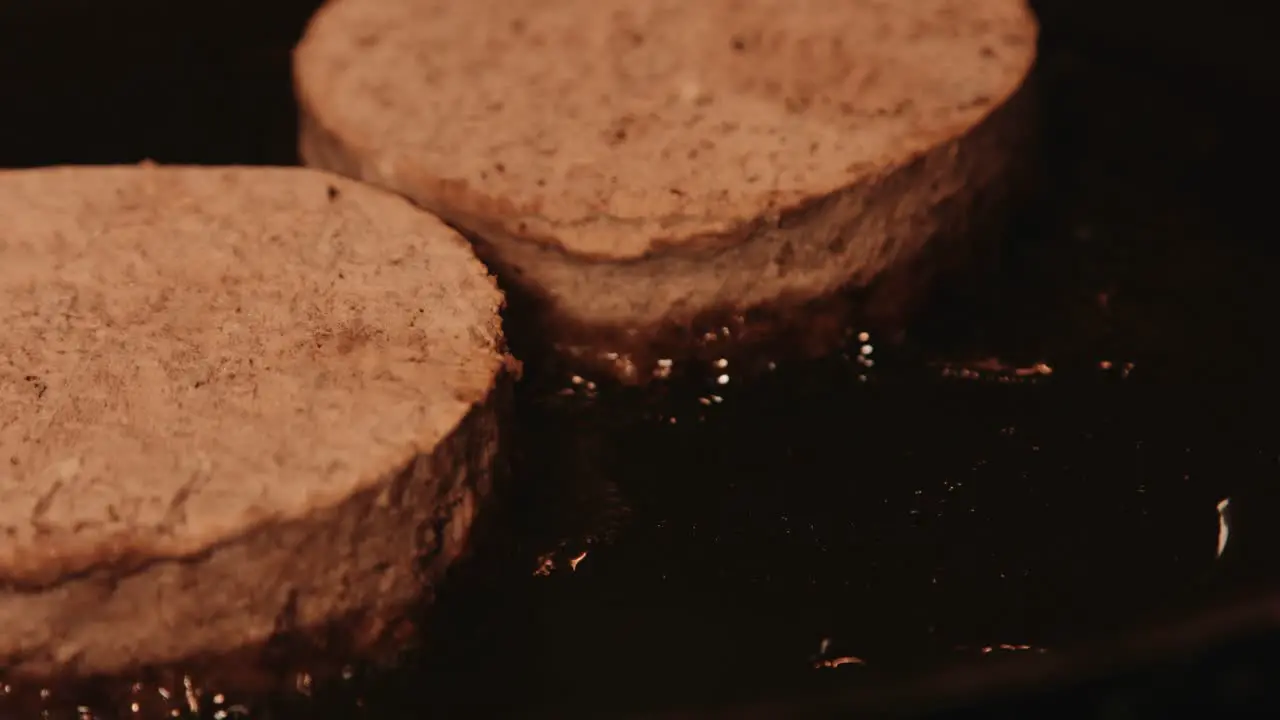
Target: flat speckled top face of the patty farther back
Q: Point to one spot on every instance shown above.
(612, 130)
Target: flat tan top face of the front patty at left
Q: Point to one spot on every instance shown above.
(194, 353)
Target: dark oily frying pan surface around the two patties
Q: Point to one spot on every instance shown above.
(1027, 494)
